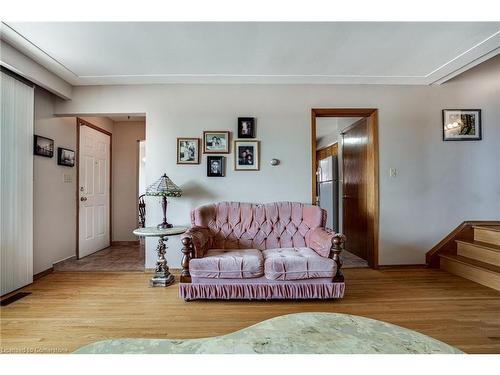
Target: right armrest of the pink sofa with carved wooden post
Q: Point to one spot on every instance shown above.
(329, 245)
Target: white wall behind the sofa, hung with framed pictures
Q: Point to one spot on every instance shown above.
(439, 184)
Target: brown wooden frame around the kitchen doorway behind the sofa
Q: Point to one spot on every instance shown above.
(371, 114)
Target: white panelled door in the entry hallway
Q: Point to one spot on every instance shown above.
(94, 191)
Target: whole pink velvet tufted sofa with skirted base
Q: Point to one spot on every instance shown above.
(261, 251)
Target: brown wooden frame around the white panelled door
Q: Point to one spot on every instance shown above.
(82, 122)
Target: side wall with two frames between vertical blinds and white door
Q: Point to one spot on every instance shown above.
(54, 203)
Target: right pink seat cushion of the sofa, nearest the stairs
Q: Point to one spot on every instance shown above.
(296, 263)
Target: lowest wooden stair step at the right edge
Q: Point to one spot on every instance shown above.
(471, 269)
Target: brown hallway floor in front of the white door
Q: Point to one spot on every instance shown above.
(114, 258)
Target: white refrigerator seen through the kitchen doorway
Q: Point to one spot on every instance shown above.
(328, 190)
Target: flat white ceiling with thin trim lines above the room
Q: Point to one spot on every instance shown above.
(95, 53)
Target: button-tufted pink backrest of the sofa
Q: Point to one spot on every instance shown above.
(236, 225)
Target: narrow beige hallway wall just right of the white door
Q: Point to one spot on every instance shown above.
(125, 178)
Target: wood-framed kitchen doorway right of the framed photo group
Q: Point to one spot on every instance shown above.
(355, 134)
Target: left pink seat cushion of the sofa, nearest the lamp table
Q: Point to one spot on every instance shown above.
(228, 264)
